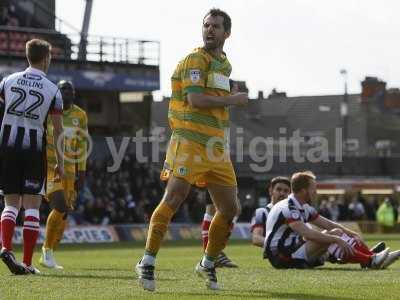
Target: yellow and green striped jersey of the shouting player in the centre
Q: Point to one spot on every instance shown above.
(200, 72)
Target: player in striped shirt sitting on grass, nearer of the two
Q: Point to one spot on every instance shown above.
(290, 243)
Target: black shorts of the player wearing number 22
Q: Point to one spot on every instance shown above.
(23, 172)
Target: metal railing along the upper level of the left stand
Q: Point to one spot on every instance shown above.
(66, 46)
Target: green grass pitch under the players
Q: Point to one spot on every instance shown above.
(106, 272)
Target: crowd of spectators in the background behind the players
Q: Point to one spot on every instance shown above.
(131, 194)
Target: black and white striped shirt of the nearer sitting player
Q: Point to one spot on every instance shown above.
(280, 238)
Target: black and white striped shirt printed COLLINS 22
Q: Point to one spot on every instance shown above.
(28, 99)
